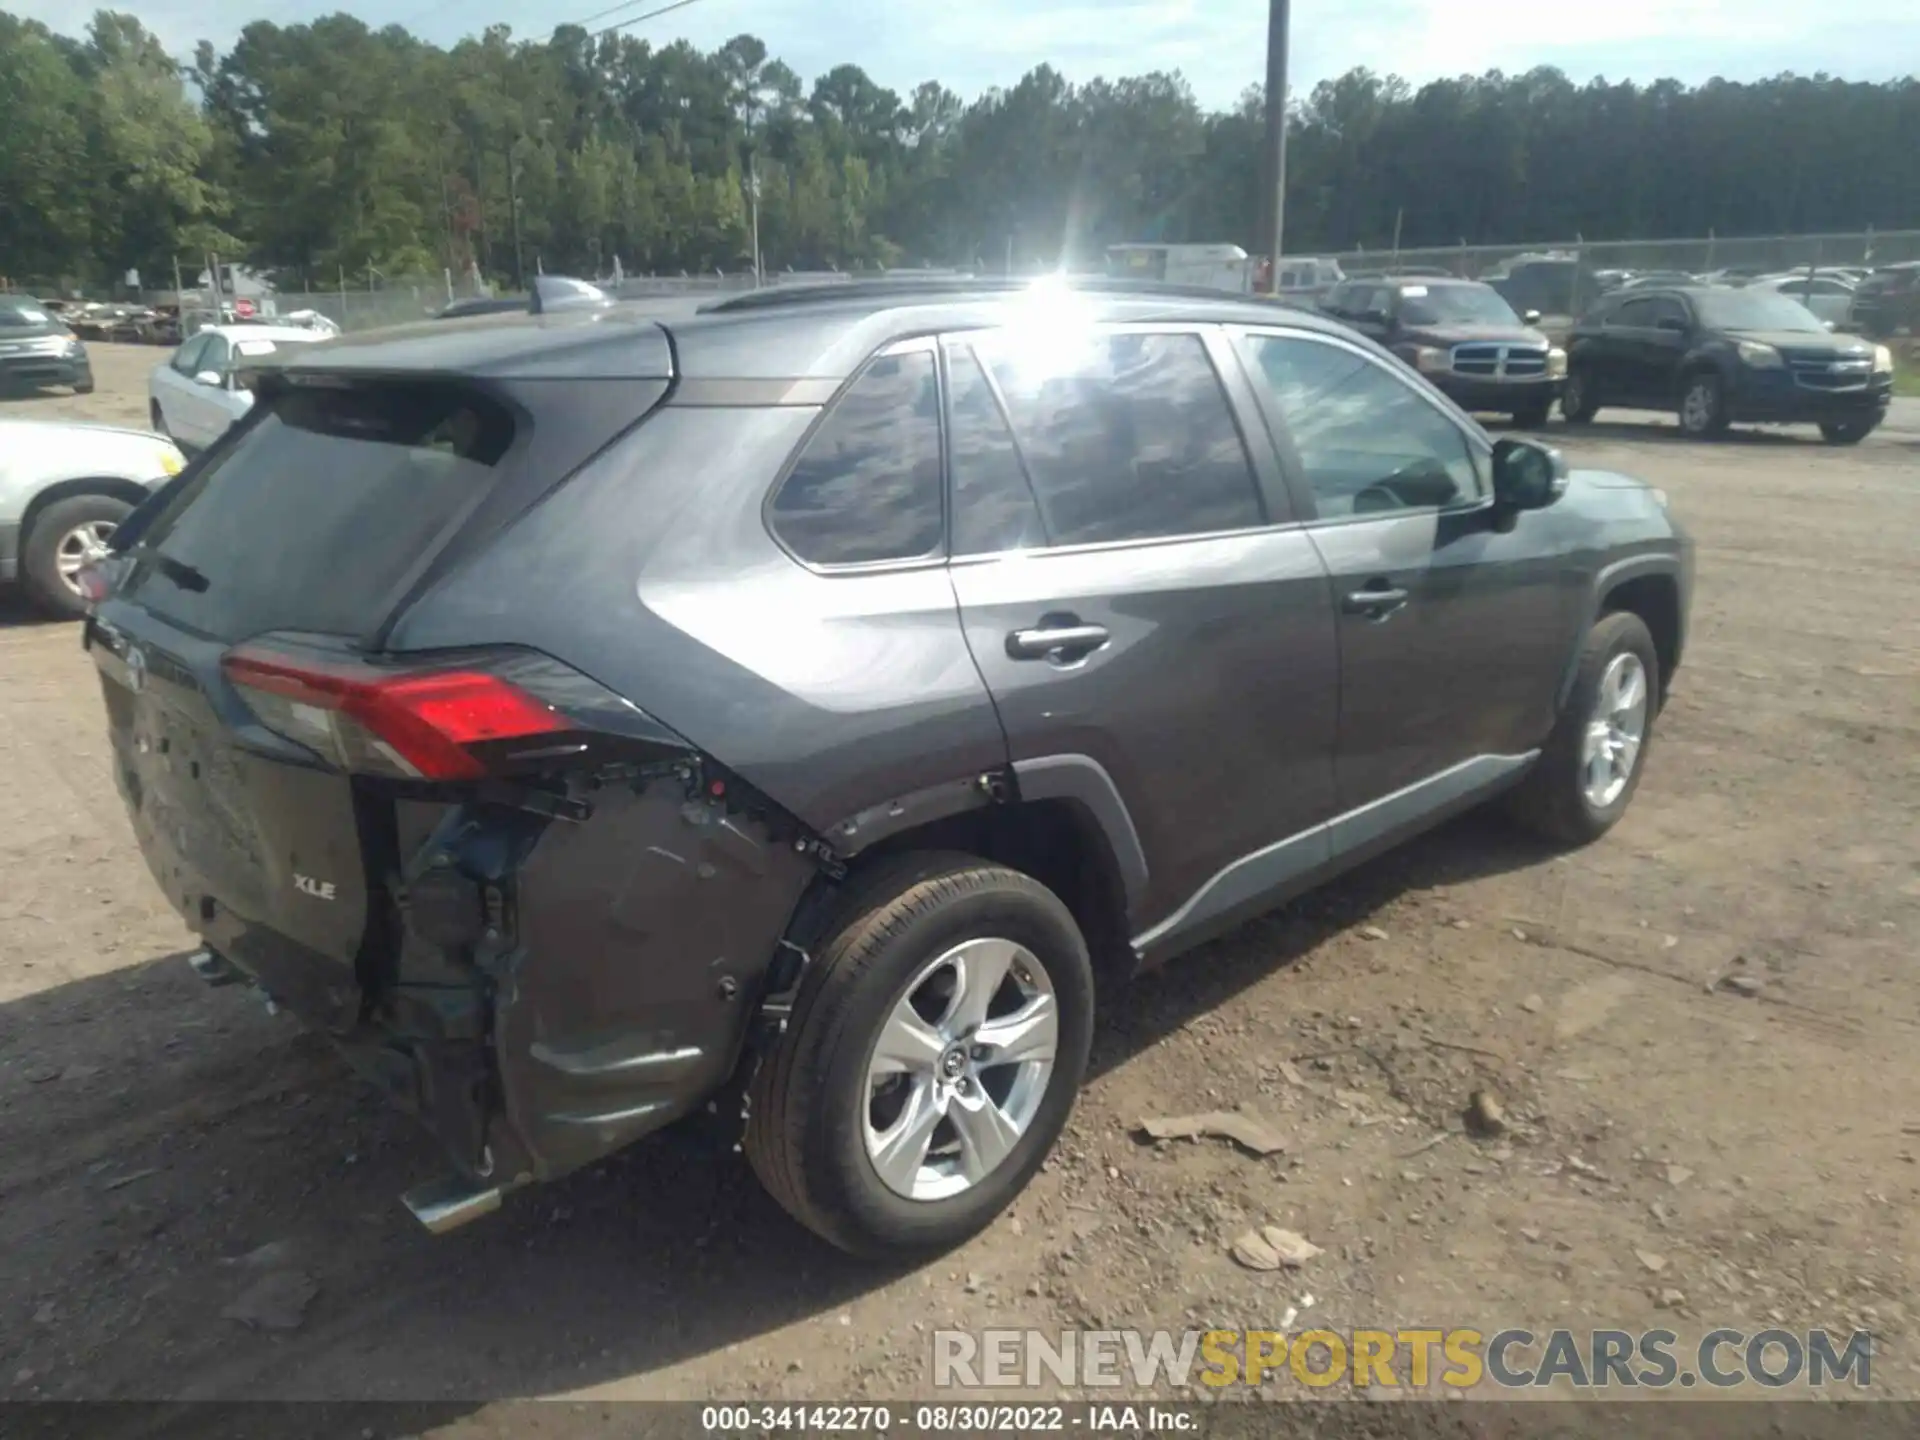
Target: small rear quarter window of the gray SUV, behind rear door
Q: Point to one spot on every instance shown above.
(869, 483)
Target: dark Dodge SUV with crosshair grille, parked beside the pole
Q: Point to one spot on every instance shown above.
(1464, 337)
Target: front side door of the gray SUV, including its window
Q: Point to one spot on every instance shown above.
(1452, 635)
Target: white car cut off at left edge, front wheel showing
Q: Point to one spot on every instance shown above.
(64, 489)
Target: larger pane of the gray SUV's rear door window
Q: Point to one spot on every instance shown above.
(1126, 437)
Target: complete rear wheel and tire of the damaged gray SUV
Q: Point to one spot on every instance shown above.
(932, 1059)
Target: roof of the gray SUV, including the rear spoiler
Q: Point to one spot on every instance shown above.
(784, 333)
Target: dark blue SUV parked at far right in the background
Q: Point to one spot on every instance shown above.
(1719, 356)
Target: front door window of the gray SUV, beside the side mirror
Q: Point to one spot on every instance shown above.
(1368, 441)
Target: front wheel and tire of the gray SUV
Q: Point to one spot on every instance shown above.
(1591, 767)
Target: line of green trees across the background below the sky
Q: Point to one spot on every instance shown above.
(331, 149)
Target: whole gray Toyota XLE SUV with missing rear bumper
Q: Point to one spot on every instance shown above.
(788, 708)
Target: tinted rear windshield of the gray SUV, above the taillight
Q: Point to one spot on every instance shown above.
(322, 510)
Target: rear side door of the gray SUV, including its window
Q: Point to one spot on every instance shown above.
(1136, 592)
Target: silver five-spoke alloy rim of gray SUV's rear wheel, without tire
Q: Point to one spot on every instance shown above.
(961, 1068)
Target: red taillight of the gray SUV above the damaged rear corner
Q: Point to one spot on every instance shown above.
(427, 725)
